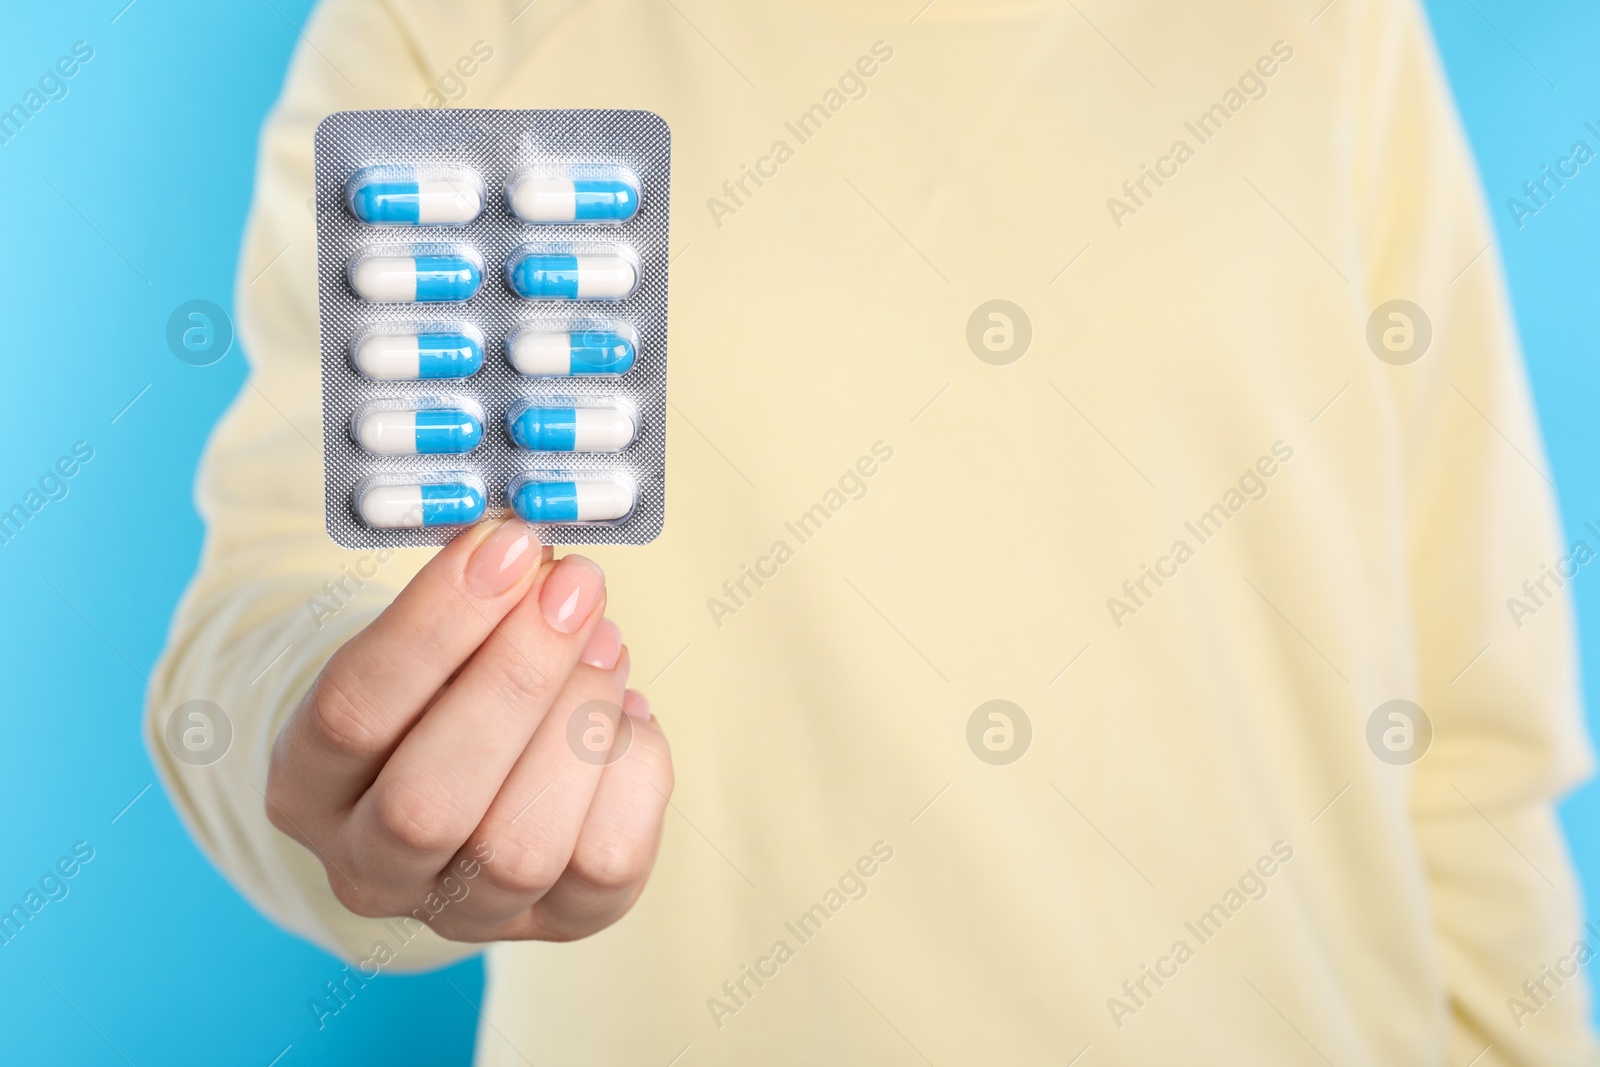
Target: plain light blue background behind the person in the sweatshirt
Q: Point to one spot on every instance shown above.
(127, 199)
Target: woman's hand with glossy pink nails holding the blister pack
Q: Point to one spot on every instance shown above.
(481, 724)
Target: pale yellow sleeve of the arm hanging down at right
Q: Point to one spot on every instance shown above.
(1498, 685)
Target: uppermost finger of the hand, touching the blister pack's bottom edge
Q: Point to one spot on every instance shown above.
(374, 690)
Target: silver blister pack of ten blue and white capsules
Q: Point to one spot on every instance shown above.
(494, 311)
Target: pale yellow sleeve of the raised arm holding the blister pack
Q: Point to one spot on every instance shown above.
(274, 597)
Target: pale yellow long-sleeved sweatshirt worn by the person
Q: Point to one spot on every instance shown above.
(1196, 535)
